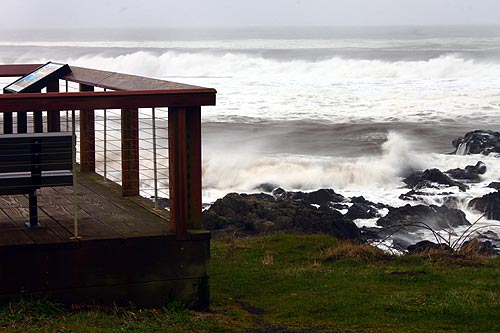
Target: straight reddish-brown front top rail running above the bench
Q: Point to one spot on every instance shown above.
(106, 100)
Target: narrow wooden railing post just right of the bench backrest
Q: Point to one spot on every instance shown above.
(87, 136)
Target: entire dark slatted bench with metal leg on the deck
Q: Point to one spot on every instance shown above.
(31, 161)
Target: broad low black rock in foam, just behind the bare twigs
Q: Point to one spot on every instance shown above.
(420, 217)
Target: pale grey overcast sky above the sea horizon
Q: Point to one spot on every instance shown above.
(224, 13)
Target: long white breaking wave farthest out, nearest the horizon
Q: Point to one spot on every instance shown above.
(175, 64)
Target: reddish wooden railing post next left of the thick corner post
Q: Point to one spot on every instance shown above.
(130, 152)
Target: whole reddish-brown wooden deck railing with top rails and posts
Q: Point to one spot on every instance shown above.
(127, 93)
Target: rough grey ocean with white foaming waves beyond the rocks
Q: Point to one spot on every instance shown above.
(351, 109)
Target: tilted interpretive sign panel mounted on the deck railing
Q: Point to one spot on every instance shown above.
(38, 79)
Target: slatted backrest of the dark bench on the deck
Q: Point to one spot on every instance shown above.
(52, 151)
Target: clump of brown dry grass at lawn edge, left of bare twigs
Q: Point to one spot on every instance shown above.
(347, 250)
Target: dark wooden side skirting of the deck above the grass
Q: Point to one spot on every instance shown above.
(145, 271)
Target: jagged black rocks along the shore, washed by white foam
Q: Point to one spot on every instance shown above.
(325, 211)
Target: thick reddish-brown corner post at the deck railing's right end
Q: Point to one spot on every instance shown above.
(184, 147)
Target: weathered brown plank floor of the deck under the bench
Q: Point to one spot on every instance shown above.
(102, 214)
